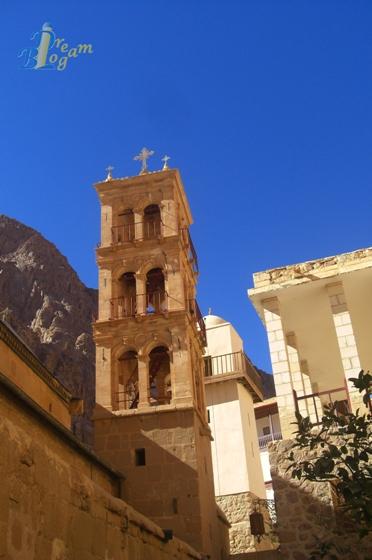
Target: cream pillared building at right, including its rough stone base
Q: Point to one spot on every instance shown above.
(317, 316)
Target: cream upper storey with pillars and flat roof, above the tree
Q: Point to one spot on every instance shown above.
(317, 316)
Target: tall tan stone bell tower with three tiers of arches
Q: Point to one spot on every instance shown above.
(150, 418)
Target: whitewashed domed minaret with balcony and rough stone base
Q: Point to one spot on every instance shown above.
(232, 387)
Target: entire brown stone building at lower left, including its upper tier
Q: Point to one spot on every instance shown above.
(59, 500)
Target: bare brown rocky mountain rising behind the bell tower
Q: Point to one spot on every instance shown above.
(43, 300)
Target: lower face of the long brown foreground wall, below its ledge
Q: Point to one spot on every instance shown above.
(56, 504)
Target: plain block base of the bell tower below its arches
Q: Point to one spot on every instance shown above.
(162, 482)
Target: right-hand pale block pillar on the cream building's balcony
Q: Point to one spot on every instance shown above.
(346, 342)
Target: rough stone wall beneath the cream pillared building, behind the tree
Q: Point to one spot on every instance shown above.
(306, 515)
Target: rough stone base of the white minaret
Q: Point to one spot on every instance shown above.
(237, 508)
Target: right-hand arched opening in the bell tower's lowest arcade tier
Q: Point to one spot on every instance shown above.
(160, 381)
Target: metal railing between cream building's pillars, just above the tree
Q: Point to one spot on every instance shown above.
(322, 398)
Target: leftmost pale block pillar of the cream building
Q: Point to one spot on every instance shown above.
(280, 365)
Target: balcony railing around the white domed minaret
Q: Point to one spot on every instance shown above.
(233, 363)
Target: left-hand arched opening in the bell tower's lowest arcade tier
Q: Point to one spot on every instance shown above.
(128, 393)
